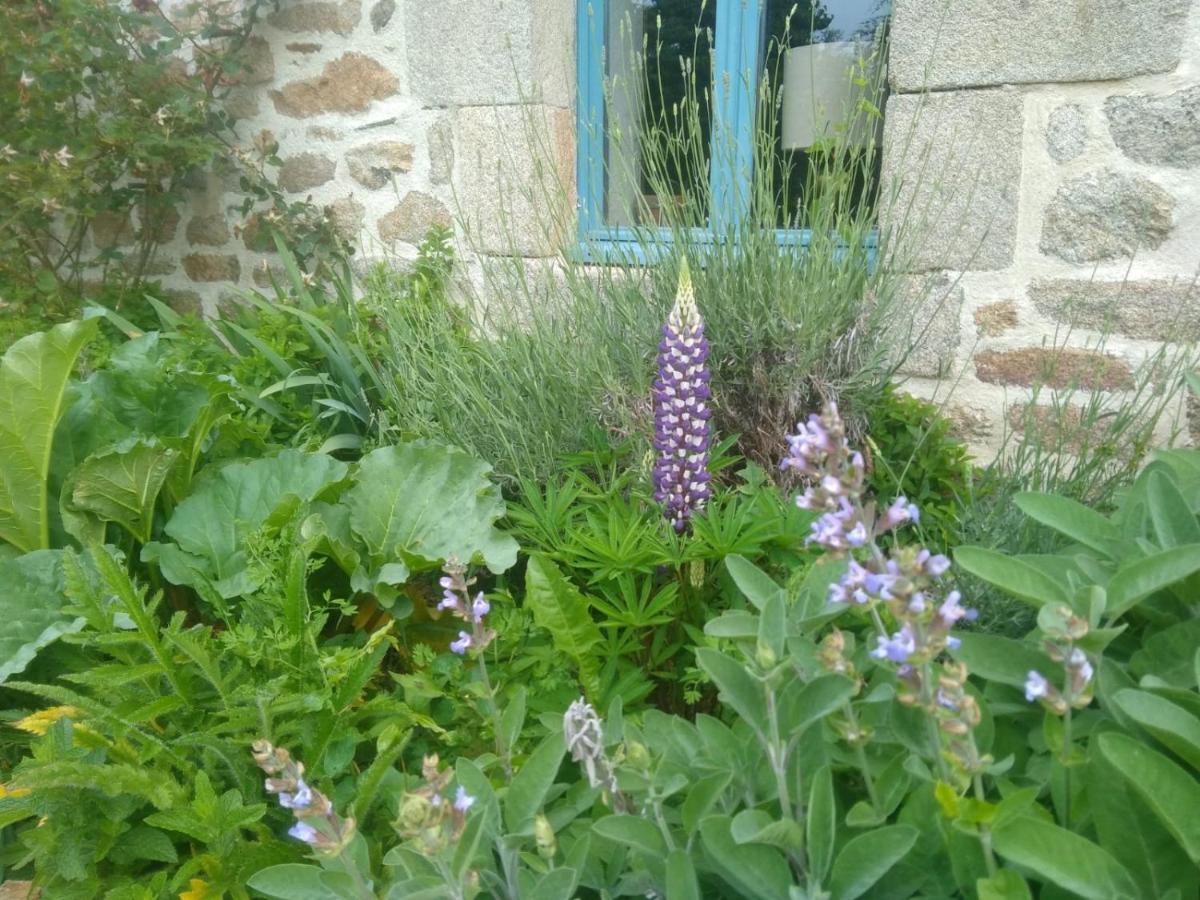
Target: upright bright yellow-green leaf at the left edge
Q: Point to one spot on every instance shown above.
(34, 376)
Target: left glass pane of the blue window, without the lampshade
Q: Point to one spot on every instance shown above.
(658, 77)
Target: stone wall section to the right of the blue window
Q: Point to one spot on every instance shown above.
(1052, 148)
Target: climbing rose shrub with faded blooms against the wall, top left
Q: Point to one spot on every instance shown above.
(111, 110)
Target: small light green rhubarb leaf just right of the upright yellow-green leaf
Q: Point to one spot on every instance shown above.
(122, 484)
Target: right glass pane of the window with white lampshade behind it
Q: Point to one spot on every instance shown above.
(820, 104)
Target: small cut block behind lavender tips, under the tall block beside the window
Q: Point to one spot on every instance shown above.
(934, 307)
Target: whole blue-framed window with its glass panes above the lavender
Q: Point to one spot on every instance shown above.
(683, 103)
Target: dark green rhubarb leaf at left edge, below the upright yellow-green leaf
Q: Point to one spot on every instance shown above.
(32, 599)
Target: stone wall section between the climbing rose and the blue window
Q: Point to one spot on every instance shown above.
(394, 116)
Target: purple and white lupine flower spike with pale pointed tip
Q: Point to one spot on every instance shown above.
(681, 411)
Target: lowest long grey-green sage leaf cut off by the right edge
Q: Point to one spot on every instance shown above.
(1172, 793)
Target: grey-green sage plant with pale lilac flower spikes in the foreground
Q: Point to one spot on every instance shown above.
(916, 767)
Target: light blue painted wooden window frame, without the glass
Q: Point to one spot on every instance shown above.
(737, 52)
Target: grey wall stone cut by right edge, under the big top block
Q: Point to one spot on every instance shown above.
(1160, 131)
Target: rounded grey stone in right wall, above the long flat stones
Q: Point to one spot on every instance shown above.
(1106, 215)
